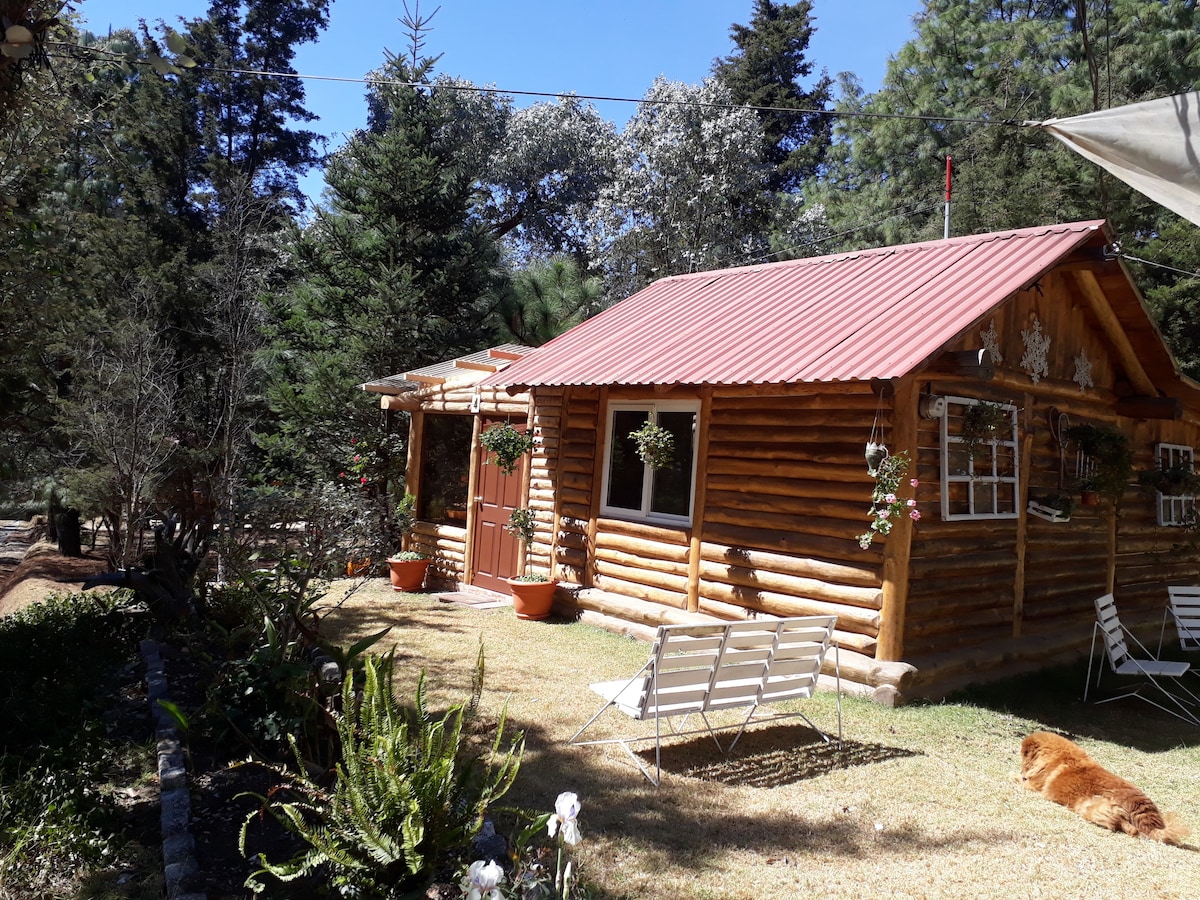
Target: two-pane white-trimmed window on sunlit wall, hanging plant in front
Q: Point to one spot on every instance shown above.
(634, 490)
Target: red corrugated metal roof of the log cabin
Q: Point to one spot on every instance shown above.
(875, 314)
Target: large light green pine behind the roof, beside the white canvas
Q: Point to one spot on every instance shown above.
(975, 71)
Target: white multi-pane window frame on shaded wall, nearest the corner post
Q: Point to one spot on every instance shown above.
(982, 483)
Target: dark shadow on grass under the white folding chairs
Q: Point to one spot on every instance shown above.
(1054, 698)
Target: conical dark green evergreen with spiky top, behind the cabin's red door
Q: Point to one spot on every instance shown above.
(397, 273)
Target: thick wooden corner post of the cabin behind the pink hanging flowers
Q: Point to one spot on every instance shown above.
(898, 548)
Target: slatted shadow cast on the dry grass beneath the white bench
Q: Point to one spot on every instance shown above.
(766, 757)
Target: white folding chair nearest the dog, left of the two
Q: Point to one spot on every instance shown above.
(1148, 670)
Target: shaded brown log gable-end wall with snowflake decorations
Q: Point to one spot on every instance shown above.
(977, 585)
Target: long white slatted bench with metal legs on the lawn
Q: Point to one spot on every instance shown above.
(695, 670)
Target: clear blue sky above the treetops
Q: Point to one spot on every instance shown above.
(614, 49)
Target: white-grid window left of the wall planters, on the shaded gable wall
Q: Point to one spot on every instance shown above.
(981, 482)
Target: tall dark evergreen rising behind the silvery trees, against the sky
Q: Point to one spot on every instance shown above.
(767, 70)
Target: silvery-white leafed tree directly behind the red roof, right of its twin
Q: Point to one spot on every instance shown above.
(691, 193)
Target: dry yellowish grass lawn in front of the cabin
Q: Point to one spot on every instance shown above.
(922, 802)
